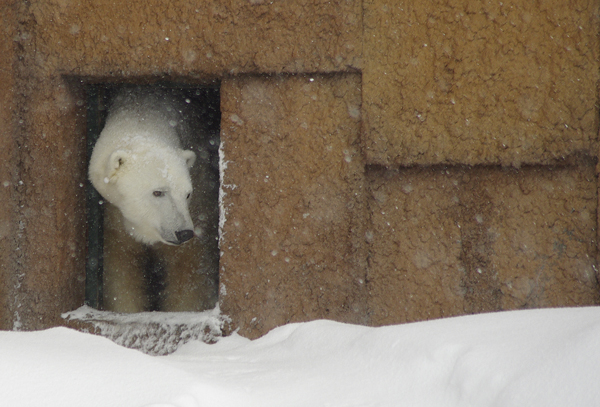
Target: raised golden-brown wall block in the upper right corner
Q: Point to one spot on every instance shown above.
(473, 82)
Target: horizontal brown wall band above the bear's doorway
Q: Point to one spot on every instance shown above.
(191, 39)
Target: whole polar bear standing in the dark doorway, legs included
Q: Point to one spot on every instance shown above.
(151, 163)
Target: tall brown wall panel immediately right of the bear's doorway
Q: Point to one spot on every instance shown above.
(292, 243)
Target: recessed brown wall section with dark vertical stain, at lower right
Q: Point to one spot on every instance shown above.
(455, 240)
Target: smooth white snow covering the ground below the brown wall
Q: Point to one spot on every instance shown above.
(525, 358)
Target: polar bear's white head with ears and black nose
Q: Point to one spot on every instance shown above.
(151, 186)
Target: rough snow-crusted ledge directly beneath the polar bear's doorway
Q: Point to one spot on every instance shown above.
(154, 333)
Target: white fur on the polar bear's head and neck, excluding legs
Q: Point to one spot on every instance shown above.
(138, 153)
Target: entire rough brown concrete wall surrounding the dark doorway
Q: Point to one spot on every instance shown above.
(385, 161)
